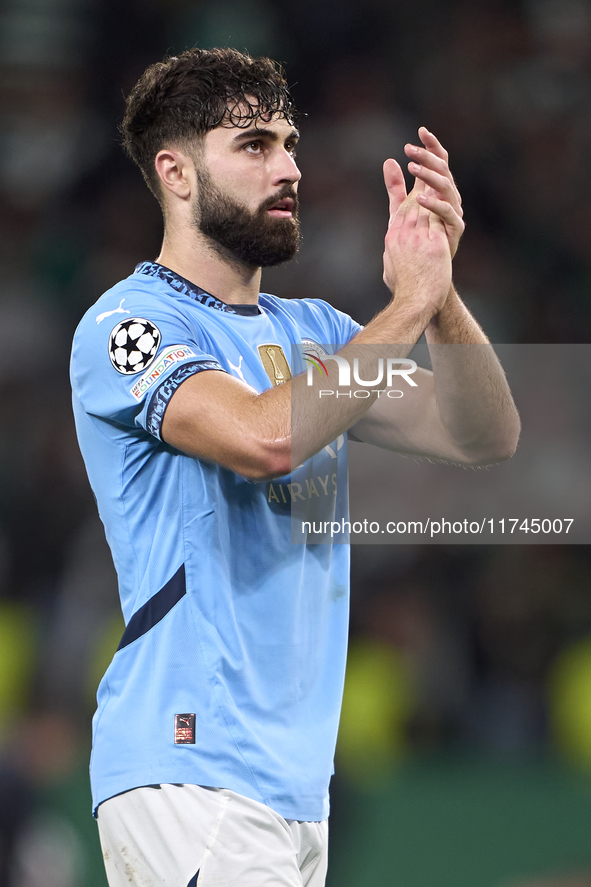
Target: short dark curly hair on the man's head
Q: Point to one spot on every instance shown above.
(187, 95)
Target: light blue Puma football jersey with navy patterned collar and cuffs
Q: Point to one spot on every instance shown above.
(231, 667)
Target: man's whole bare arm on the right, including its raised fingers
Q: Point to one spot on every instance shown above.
(464, 411)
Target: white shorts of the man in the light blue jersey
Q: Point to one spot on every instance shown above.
(191, 836)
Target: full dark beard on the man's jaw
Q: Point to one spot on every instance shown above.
(255, 239)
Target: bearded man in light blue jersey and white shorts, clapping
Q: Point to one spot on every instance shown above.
(217, 719)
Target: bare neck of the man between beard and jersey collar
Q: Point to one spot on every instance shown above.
(192, 256)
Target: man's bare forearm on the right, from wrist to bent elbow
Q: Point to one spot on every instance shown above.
(473, 398)
